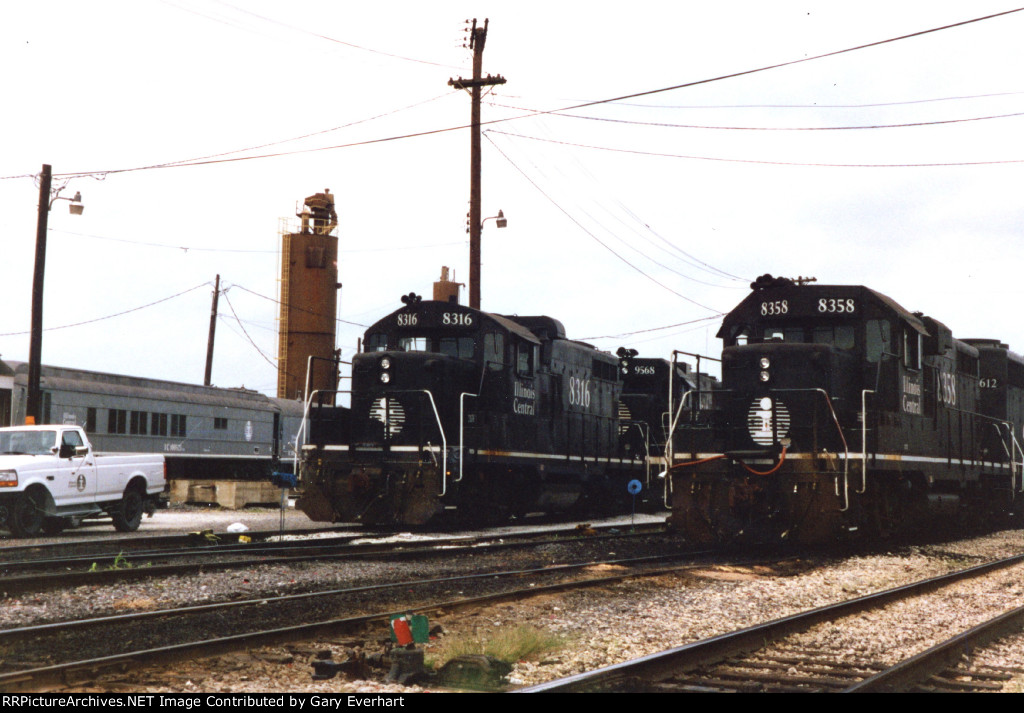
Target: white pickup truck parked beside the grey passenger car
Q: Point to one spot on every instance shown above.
(50, 477)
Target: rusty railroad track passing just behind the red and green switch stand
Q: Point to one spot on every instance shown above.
(29, 663)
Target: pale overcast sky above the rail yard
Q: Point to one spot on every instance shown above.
(898, 166)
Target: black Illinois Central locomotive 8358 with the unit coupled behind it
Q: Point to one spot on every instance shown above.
(842, 411)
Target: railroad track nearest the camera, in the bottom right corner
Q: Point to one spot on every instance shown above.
(764, 659)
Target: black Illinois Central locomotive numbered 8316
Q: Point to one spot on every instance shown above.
(457, 412)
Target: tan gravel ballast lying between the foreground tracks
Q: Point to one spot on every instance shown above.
(601, 626)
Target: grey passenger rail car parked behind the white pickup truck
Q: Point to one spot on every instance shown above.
(203, 432)
